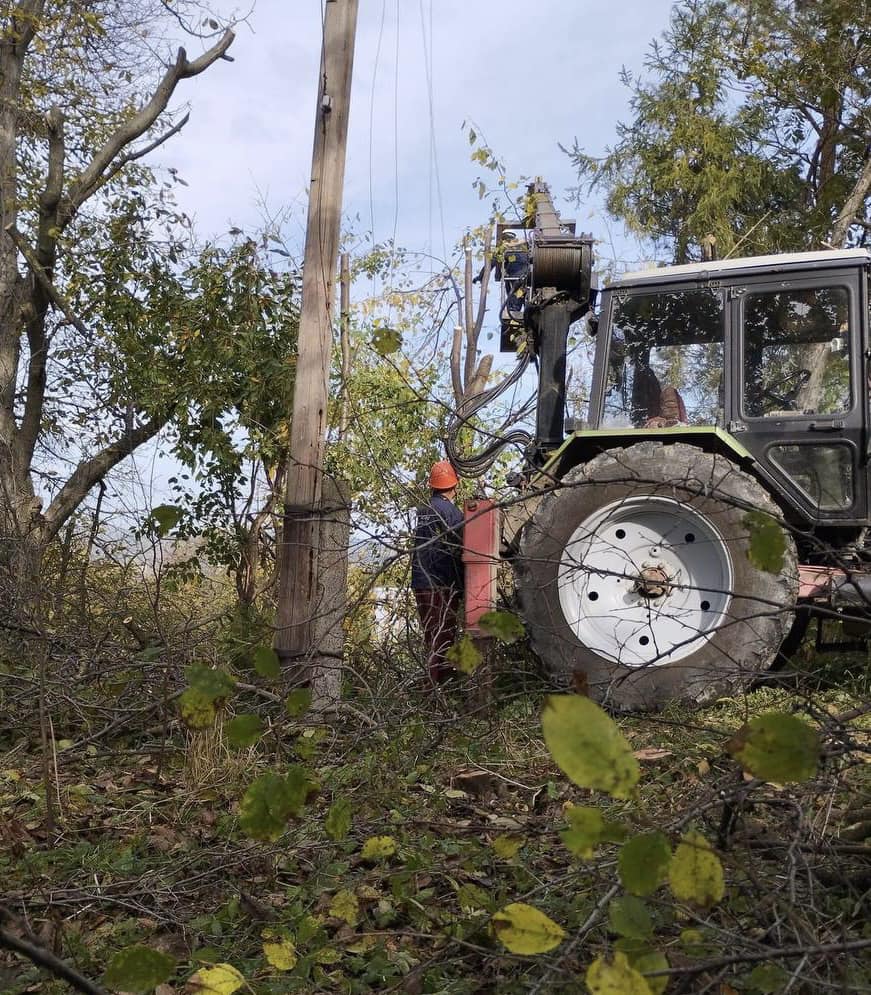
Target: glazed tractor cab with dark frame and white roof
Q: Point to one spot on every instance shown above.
(769, 355)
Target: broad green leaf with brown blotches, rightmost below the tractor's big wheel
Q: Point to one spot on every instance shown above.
(777, 747)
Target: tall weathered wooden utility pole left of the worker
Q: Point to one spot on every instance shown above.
(300, 590)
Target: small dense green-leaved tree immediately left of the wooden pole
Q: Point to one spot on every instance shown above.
(237, 319)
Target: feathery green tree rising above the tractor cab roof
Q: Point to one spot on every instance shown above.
(750, 123)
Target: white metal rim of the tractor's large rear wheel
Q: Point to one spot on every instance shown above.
(645, 581)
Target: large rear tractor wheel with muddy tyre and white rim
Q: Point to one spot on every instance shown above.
(635, 580)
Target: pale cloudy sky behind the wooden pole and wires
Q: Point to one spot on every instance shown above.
(526, 76)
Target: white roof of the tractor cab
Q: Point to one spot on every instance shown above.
(749, 265)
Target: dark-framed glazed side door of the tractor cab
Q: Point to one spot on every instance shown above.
(797, 373)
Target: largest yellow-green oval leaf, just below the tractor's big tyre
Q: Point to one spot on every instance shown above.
(587, 745)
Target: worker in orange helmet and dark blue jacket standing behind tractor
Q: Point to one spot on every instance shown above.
(437, 568)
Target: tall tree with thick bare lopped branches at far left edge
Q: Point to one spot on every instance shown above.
(83, 90)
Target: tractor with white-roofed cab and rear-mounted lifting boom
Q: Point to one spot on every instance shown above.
(675, 544)
